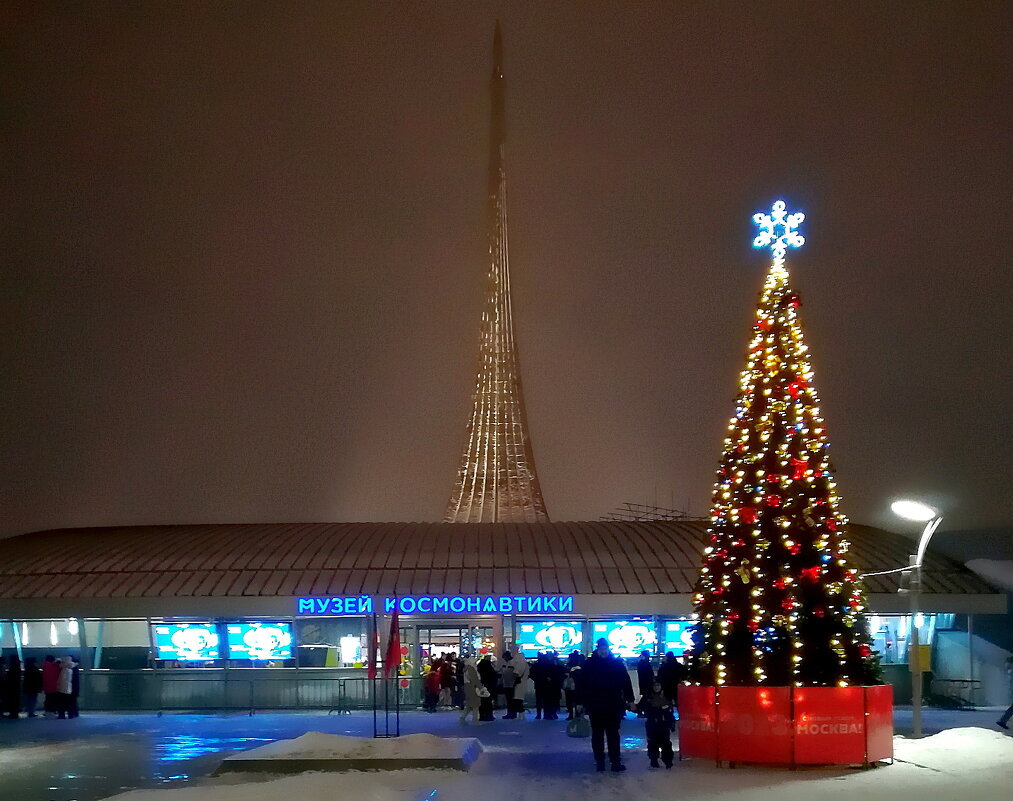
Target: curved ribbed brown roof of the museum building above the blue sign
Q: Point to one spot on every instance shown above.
(251, 560)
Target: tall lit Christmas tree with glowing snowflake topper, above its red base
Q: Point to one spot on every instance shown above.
(777, 602)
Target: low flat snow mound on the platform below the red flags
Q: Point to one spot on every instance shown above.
(318, 746)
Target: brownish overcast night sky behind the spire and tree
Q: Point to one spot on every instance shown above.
(245, 251)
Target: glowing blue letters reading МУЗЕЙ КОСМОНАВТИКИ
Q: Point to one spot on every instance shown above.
(427, 605)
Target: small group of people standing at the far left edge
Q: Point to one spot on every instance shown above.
(57, 681)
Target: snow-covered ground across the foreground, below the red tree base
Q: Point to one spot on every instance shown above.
(957, 765)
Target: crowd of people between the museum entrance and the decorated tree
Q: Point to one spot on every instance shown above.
(598, 687)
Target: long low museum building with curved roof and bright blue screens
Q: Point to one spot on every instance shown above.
(280, 616)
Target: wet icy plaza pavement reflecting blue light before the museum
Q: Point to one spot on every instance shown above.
(100, 755)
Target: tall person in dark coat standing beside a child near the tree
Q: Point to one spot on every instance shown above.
(607, 693)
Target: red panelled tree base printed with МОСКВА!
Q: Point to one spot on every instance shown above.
(788, 726)
